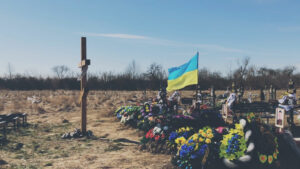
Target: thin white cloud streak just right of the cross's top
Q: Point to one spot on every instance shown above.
(117, 35)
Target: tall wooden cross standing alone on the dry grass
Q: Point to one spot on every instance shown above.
(83, 88)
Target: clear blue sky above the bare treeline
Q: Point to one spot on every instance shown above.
(36, 35)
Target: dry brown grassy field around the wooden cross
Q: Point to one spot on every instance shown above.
(40, 145)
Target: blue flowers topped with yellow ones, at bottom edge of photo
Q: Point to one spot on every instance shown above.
(193, 150)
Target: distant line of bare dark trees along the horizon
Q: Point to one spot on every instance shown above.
(250, 77)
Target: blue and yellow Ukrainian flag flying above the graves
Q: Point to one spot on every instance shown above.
(184, 75)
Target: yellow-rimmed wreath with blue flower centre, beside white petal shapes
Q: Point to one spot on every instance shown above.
(233, 145)
